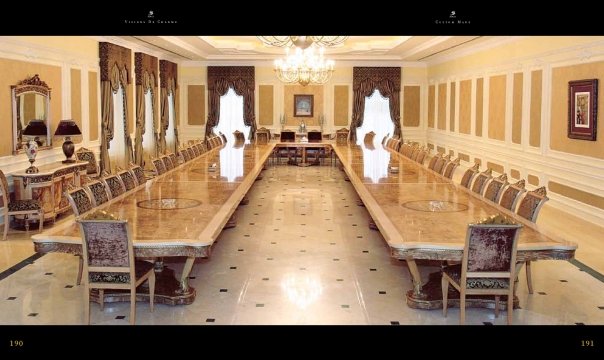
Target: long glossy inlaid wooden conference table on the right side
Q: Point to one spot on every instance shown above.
(424, 216)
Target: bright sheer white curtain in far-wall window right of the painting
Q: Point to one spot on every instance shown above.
(376, 118)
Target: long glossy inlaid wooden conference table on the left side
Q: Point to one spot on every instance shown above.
(179, 213)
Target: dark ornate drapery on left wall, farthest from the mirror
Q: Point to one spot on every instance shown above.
(168, 76)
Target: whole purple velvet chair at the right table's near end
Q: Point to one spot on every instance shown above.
(487, 268)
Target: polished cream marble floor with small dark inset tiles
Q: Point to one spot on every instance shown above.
(302, 253)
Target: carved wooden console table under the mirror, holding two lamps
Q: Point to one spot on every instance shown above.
(48, 185)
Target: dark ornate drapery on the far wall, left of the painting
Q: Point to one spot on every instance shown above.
(242, 80)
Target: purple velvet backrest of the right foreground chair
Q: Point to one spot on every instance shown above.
(490, 252)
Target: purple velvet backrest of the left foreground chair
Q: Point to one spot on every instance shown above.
(107, 251)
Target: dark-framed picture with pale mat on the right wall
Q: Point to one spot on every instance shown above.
(582, 109)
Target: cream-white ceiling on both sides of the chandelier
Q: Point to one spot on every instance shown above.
(369, 48)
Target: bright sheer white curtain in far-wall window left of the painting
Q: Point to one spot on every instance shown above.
(231, 116)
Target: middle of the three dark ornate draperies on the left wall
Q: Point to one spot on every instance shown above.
(145, 69)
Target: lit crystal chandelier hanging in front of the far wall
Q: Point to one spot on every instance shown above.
(304, 67)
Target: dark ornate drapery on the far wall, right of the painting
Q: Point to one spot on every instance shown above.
(364, 81)
